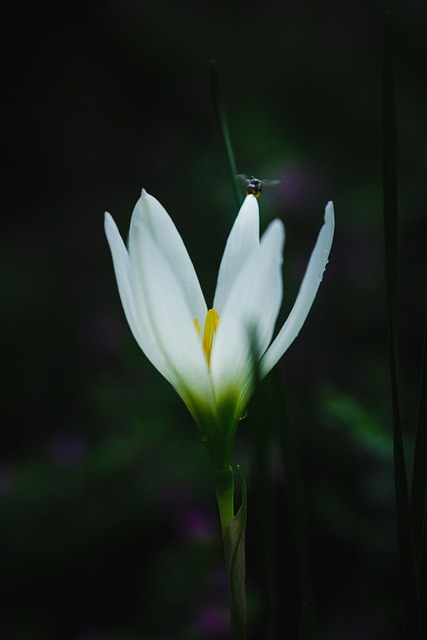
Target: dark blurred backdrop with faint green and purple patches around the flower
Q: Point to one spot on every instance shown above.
(108, 523)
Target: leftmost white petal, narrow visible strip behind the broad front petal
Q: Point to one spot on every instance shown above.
(137, 318)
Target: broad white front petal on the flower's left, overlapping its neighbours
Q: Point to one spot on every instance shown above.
(159, 294)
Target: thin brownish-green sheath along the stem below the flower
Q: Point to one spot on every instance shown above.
(234, 550)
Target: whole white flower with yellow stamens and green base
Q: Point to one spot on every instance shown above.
(211, 357)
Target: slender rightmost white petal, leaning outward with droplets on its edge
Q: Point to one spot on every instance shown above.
(306, 295)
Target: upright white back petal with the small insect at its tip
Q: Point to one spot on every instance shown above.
(243, 239)
